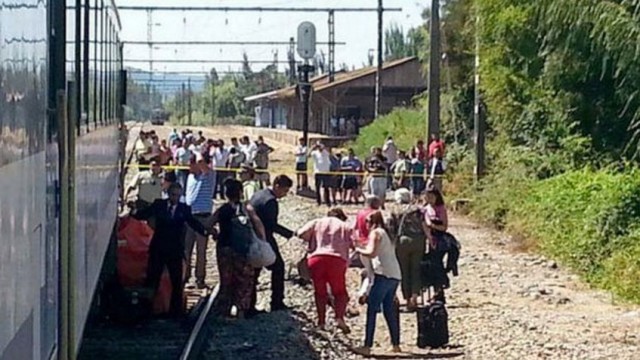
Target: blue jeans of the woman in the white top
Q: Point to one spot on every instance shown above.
(383, 293)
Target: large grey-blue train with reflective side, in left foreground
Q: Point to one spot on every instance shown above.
(62, 90)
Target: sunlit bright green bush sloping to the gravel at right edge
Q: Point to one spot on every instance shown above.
(585, 219)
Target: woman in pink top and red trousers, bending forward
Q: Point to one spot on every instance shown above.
(329, 239)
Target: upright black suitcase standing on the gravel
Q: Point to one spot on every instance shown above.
(433, 324)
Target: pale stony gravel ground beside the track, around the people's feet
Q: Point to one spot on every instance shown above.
(504, 305)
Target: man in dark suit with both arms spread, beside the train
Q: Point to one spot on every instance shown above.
(167, 244)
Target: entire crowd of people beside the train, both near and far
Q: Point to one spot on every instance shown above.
(387, 242)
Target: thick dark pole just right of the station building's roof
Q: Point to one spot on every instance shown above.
(434, 72)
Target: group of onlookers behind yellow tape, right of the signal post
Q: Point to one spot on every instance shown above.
(343, 178)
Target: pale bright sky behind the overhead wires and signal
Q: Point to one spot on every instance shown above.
(358, 30)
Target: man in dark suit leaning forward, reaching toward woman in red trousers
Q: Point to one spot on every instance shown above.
(265, 202)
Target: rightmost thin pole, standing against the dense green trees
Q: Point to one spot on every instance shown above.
(478, 118)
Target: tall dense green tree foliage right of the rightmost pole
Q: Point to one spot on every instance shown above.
(556, 68)
